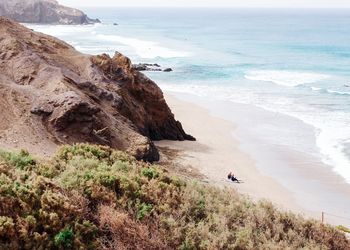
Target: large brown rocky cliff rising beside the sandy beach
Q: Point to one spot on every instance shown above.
(51, 95)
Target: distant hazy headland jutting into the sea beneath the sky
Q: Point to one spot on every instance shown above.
(42, 11)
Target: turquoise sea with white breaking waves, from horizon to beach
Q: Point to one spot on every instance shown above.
(294, 62)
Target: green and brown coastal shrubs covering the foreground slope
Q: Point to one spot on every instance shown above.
(94, 197)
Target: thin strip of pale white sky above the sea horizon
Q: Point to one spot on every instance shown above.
(211, 3)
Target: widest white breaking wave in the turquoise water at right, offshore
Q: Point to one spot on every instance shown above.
(285, 78)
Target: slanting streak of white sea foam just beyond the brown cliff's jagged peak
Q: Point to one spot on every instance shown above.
(145, 49)
